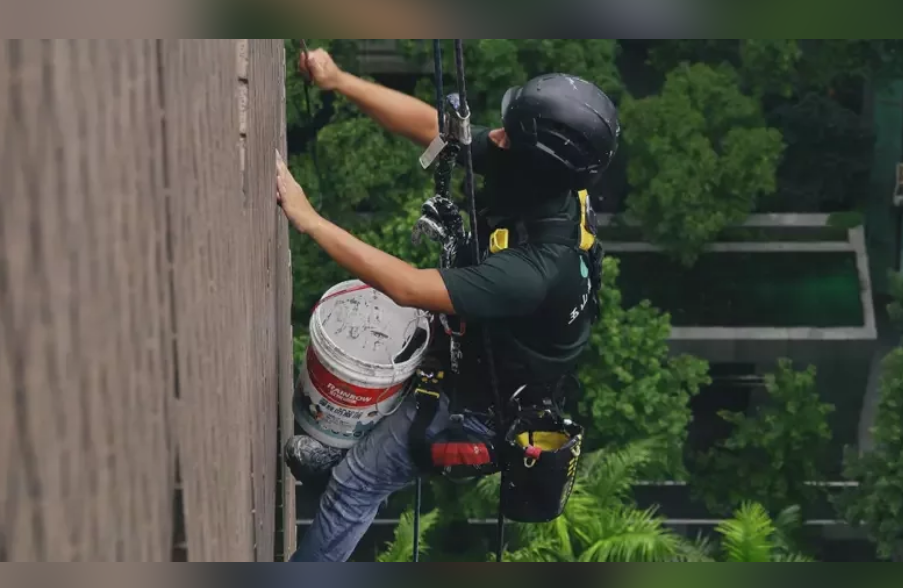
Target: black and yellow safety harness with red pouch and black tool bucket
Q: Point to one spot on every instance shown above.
(536, 447)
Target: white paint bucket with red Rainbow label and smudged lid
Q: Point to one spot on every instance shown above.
(349, 380)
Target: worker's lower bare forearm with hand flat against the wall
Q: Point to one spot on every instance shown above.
(403, 283)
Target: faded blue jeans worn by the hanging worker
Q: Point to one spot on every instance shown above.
(376, 467)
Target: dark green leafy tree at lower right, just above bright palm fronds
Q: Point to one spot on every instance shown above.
(771, 453)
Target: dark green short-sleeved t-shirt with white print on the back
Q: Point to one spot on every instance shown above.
(533, 298)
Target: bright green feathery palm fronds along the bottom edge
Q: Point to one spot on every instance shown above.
(601, 523)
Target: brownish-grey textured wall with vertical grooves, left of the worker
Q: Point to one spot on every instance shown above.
(145, 336)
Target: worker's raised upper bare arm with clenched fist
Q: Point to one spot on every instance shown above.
(396, 112)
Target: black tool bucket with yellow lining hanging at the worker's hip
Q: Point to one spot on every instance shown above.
(539, 456)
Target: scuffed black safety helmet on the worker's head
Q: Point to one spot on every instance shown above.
(567, 118)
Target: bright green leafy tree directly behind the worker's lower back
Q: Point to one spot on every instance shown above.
(632, 388)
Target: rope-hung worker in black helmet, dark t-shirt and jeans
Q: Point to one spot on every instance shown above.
(538, 299)
